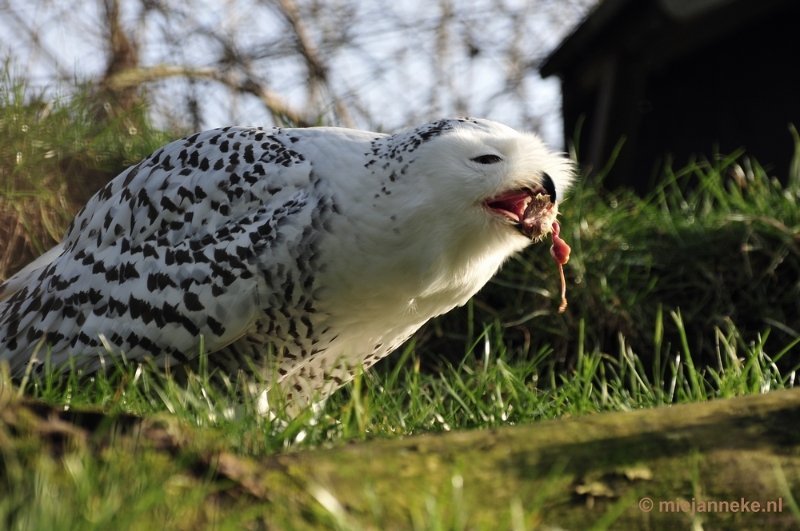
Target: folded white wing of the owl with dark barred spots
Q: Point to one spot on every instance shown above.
(197, 239)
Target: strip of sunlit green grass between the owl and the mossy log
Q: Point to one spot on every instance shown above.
(495, 390)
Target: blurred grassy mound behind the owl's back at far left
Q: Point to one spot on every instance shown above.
(54, 156)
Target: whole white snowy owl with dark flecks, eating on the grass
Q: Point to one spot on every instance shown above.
(297, 253)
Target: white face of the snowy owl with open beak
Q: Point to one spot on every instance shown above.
(496, 180)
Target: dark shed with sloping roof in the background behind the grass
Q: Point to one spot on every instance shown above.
(679, 77)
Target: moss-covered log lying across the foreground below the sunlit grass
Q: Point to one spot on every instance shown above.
(733, 463)
